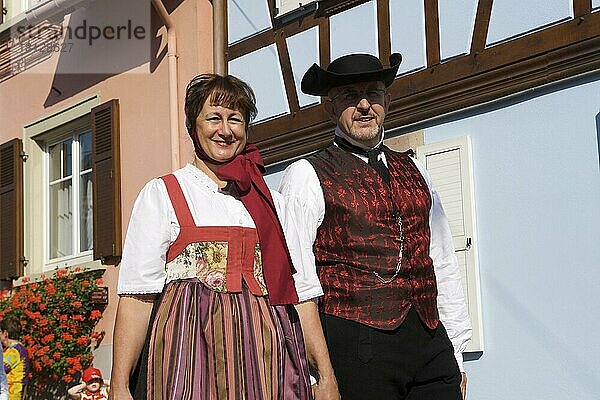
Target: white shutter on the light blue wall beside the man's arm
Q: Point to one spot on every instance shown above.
(450, 168)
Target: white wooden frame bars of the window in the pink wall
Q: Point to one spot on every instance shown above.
(77, 255)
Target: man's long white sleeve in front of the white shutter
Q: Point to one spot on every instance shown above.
(452, 306)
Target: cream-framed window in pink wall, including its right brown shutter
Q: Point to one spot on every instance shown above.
(71, 184)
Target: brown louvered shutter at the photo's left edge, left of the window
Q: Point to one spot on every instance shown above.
(11, 209)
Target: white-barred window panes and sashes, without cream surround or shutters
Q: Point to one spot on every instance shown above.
(69, 194)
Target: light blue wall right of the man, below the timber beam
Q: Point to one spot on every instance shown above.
(537, 194)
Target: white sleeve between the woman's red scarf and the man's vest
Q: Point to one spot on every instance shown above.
(304, 212)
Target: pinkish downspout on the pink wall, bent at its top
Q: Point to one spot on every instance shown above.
(173, 79)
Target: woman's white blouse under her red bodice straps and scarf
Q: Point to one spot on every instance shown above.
(153, 226)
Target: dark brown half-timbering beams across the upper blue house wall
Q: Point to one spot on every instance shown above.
(566, 49)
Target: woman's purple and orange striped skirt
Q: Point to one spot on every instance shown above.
(210, 345)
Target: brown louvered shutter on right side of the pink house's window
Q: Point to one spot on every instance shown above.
(106, 182)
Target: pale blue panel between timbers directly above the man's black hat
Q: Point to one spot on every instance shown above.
(354, 31)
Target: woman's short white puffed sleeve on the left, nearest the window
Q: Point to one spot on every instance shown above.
(147, 241)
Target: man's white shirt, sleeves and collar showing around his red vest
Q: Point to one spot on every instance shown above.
(305, 210)
